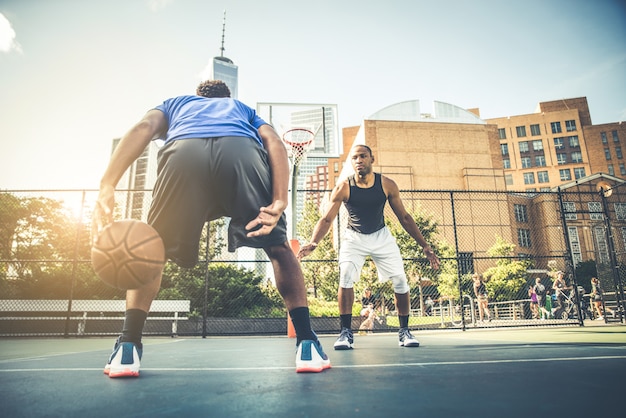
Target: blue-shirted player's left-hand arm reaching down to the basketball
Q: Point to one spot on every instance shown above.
(131, 146)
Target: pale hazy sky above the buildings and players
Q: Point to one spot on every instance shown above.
(75, 74)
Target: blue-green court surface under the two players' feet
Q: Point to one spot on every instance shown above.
(533, 372)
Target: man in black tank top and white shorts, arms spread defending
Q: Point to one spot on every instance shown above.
(364, 196)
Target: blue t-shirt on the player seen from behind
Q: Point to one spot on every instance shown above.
(202, 117)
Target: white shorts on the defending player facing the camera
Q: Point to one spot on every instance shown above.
(381, 246)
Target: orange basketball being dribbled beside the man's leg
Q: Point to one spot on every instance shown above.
(128, 254)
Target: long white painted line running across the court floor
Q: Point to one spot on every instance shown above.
(356, 366)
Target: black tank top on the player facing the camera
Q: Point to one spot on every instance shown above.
(366, 206)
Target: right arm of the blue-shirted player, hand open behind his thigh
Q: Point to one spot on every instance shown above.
(279, 165)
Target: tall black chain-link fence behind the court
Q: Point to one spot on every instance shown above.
(48, 287)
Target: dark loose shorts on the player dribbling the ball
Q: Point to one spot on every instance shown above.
(199, 180)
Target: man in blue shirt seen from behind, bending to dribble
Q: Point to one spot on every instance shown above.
(219, 159)
